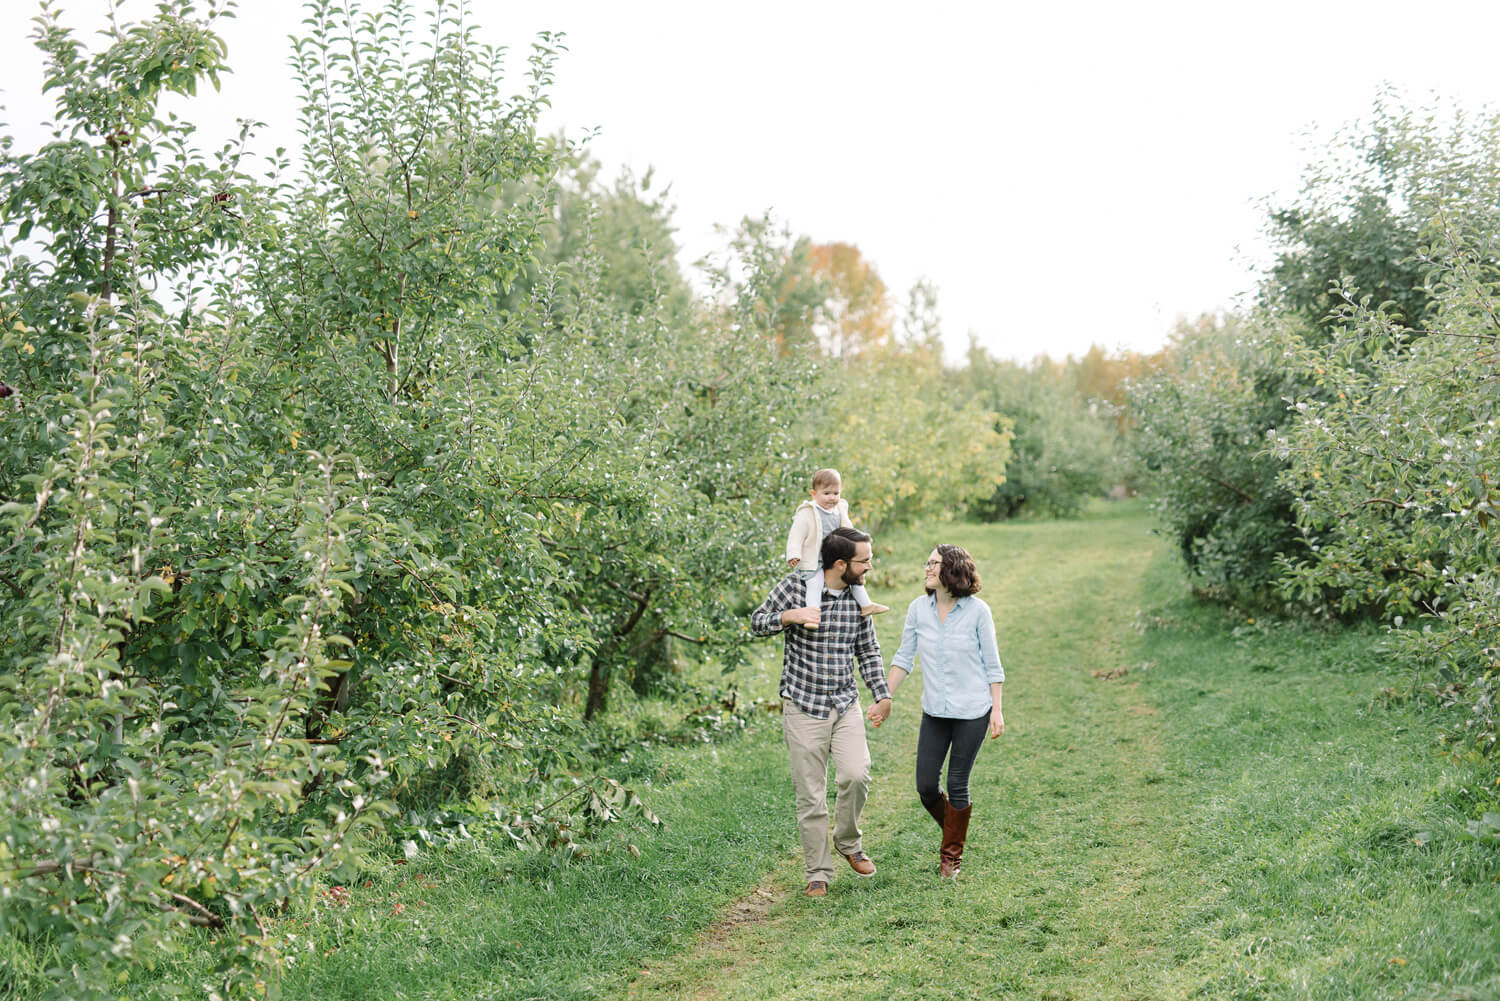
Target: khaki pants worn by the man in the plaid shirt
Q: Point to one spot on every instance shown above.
(809, 745)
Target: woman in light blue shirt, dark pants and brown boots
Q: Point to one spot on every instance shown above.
(953, 634)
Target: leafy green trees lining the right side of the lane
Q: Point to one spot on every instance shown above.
(1336, 449)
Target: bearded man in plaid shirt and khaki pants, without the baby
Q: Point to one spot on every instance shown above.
(821, 705)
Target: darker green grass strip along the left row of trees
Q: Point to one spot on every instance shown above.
(475, 925)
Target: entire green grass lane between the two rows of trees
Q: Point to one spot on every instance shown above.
(1238, 816)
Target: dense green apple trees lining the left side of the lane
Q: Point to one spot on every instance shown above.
(337, 491)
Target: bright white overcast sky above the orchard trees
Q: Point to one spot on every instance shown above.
(1064, 173)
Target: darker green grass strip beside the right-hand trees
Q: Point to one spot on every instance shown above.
(1324, 814)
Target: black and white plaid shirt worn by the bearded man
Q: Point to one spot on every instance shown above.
(818, 664)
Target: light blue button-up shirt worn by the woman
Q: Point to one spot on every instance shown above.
(961, 660)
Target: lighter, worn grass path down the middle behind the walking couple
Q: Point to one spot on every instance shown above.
(1073, 852)
